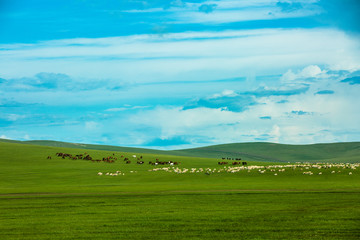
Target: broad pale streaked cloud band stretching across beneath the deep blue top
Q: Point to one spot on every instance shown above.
(148, 58)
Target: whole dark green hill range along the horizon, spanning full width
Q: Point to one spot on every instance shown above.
(264, 152)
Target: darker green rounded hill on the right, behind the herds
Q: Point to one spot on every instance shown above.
(271, 152)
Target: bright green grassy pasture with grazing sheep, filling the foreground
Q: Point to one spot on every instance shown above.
(60, 198)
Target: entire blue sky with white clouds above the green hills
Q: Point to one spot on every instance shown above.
(180, 74)
